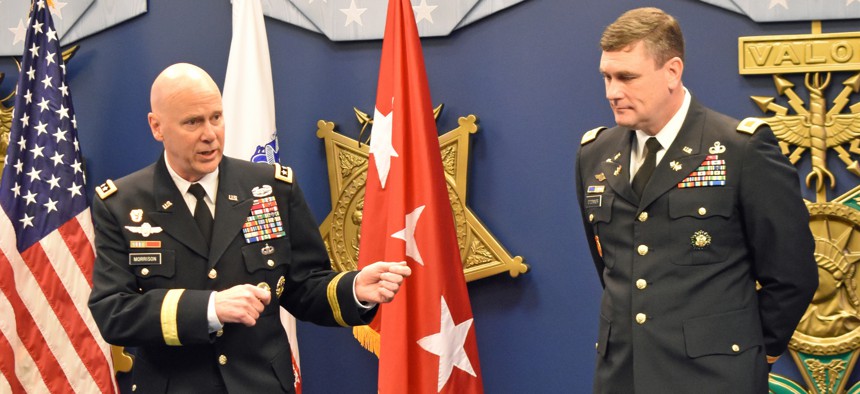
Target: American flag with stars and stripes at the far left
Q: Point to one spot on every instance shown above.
(48, 339)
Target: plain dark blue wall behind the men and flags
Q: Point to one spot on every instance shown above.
(529, 73)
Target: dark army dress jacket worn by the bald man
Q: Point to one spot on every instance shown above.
(154, 274)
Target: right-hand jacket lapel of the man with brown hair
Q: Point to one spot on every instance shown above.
(685, 154)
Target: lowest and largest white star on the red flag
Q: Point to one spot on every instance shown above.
(448, 344)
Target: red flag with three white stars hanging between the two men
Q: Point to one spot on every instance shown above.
(427, 338)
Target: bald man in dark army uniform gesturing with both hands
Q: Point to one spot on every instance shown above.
(199, 297)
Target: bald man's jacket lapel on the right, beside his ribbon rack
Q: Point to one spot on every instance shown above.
(231, 209)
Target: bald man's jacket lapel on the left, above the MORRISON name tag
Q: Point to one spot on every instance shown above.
(171, 212)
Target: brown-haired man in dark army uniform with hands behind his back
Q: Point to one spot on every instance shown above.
(685, 211)
